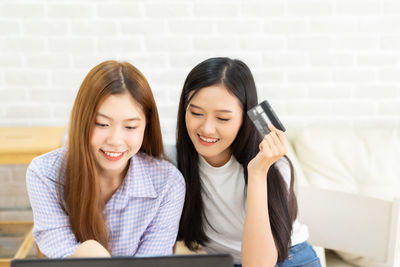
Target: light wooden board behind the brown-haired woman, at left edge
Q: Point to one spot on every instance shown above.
(19, 145)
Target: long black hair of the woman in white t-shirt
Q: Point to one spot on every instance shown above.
(282, 205)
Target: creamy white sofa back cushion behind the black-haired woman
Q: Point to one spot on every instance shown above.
(363, 161)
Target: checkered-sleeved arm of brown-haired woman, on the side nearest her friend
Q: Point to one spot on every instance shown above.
(160, 236)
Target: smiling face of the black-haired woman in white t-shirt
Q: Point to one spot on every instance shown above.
(213, 119)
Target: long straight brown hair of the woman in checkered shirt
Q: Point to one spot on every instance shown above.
(81, 195)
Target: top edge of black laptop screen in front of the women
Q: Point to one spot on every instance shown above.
(217, 260)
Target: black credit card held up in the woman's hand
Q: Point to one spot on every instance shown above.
(261, 115)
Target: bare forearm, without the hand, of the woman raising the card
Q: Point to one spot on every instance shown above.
(258, 246)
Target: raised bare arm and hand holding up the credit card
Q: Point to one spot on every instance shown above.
(258, 245)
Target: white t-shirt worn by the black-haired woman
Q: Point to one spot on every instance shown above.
(224, 206)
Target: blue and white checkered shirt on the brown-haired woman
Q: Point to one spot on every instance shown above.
(142, 216)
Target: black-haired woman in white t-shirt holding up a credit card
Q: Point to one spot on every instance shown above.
(239, 185)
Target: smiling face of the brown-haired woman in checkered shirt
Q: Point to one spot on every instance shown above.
(117, 134)
